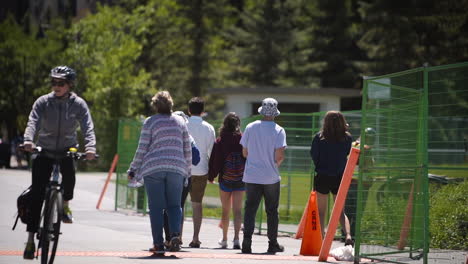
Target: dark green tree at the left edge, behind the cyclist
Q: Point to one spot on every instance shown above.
(24, 67)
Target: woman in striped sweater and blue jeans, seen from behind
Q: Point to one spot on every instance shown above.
(163, 161)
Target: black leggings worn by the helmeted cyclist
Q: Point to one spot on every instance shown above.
(41, 170)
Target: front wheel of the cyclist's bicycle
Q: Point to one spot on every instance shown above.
(50, 231)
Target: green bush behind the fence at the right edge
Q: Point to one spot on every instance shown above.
(449, 216)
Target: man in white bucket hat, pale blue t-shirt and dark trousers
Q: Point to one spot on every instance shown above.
(263, 144)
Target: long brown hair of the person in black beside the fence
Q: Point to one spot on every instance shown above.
(334, 127)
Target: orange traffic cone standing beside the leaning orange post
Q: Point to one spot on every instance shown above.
(312, 238)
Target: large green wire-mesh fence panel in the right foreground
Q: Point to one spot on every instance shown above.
(421, 126)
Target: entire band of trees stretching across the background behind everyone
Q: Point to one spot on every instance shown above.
(127, 51)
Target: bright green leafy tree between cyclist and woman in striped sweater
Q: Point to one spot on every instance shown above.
(104, 50)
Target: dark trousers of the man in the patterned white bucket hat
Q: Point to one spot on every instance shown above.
(254, 193)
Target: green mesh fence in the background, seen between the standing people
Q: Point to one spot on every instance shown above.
(297, 170)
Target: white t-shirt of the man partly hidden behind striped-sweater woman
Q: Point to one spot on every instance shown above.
(204, 135)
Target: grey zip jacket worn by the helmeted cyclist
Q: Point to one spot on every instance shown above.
(55, 121)
